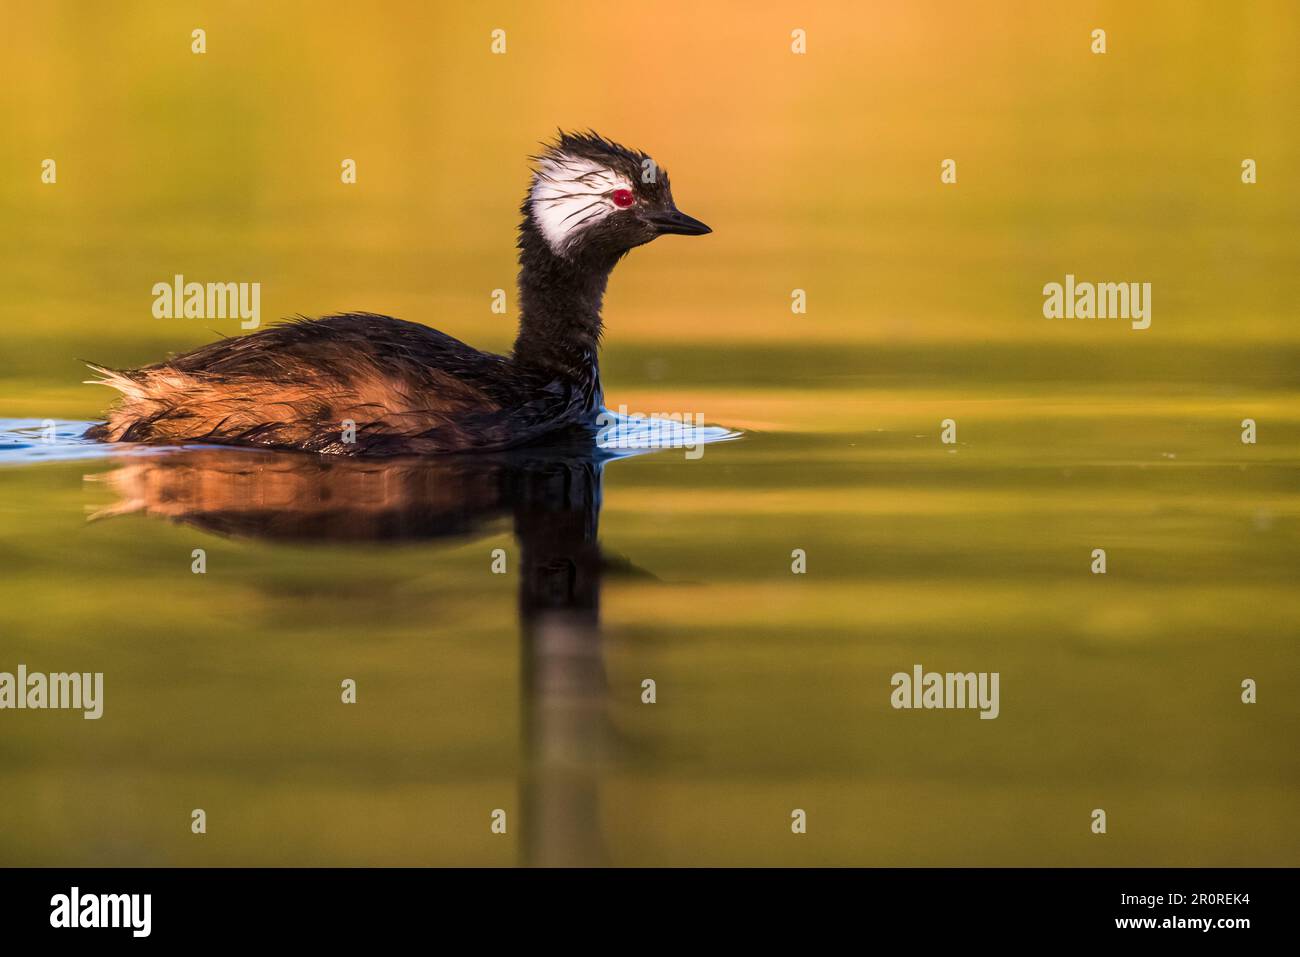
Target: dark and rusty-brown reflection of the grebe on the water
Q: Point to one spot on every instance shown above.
(554, 500)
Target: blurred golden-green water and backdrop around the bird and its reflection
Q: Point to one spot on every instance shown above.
(817, 172)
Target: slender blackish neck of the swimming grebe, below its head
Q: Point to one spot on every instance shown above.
(560, 300)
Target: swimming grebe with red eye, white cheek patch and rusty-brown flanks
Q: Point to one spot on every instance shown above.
(406, 388)
